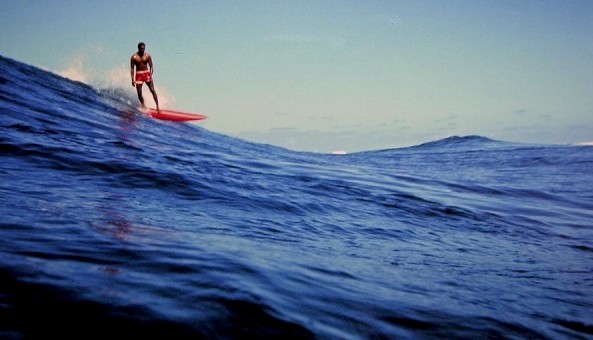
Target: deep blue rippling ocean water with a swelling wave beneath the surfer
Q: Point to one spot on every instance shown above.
(114, 224)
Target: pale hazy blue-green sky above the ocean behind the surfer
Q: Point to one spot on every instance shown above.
(334, 75)
